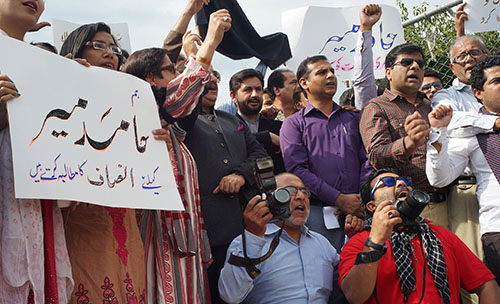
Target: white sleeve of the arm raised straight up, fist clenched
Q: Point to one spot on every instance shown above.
(364, 85)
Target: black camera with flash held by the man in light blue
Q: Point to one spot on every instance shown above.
(278, 200)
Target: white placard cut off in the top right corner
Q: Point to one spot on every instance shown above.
(482, 16)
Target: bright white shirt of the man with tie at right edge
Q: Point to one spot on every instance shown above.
(456, 153)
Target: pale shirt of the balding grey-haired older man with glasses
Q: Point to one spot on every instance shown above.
(466, 120)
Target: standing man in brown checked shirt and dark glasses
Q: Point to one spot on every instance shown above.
(395, 126)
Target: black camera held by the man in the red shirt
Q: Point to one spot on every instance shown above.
(410, 208)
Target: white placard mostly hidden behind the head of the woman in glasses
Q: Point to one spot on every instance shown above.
(61, 29)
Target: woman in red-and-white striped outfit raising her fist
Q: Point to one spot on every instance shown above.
(188, 256)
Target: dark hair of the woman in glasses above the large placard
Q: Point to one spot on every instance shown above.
(77, 39)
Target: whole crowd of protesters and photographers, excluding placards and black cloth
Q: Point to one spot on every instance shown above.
(288, 196)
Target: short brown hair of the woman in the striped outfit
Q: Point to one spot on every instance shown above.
(145, 61)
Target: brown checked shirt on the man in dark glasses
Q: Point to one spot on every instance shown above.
(382, 122)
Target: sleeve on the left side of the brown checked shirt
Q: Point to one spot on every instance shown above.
(382, 151)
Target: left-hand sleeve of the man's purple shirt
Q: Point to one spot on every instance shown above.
(295, 157)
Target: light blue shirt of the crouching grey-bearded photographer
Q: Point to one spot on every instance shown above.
(294, 273)
